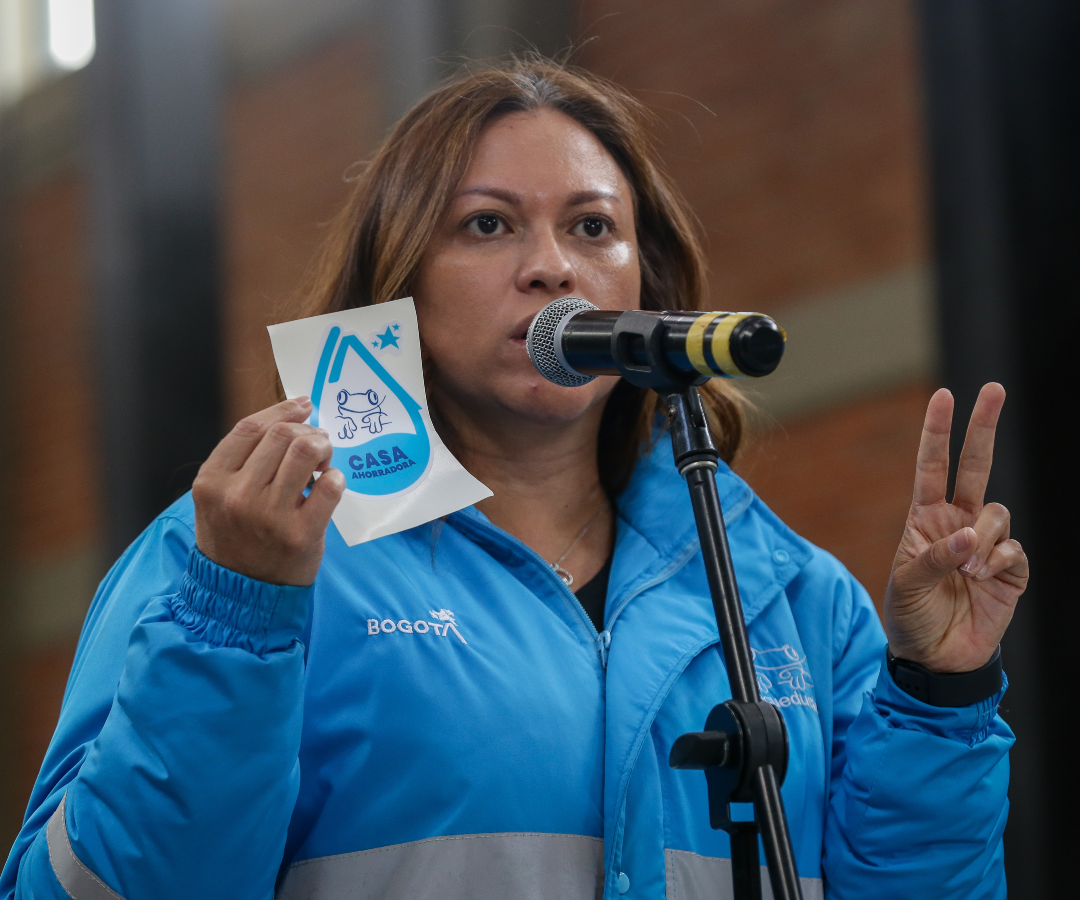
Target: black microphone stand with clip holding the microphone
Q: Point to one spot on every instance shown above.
(744, 750)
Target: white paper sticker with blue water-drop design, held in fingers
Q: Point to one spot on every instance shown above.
(362, 370)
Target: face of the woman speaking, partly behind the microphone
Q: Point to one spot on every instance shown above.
(543, 212)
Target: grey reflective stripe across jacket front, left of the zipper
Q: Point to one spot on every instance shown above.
(467, 867)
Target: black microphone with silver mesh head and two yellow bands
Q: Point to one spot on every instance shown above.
(571, 342)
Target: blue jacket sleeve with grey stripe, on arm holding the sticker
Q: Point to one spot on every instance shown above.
(173, 771)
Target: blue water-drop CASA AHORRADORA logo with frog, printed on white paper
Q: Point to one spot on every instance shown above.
(380, 439)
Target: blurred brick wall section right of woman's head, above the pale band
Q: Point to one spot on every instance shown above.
(793, 125)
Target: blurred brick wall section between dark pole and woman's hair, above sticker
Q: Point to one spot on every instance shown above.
(291, 139)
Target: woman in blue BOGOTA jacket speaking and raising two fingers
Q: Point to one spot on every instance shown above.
(234, 728)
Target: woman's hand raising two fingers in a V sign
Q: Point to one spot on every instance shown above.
(957, 575)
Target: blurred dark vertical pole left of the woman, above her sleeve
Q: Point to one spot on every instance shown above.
(153, 168)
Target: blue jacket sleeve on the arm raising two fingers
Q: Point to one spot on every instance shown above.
(919, 794)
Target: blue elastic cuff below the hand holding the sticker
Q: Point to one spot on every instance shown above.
(232, 610)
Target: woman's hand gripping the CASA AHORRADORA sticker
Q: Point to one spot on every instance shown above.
(251, 513)
